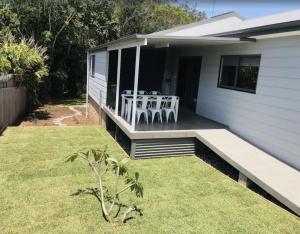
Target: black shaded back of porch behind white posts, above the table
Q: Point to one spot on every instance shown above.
(151, 72)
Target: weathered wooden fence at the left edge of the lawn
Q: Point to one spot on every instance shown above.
(12, 105)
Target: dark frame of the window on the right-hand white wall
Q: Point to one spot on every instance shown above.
(237, 72)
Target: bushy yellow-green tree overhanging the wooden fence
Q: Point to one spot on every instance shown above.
(26, 61)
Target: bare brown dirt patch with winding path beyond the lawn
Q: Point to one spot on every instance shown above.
(46, 116)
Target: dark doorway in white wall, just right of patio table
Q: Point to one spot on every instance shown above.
(188, 81)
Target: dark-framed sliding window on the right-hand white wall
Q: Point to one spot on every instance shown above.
(239, 72)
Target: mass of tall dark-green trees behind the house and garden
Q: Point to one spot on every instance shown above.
(68, 27)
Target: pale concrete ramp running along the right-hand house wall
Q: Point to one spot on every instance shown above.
(274, 176)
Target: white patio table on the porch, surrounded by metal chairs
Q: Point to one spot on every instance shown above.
(127, 98)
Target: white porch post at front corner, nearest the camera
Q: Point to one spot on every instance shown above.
(136, 83)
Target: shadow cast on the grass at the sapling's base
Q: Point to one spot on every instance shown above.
(94, 192)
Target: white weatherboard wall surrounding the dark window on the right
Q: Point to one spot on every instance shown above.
(270, 118)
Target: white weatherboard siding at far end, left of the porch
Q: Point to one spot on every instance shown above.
(98, 83)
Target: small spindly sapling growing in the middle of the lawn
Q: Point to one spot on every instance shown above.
(106, 168)
